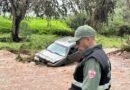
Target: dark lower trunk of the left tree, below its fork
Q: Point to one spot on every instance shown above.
(15, 29)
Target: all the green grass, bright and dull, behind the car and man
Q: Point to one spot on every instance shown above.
(43, 35)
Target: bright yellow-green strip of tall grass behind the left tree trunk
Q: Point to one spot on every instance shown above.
(38, 25)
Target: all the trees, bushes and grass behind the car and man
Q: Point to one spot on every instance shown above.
(54, 19)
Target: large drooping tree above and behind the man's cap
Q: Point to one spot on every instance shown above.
(97, 10)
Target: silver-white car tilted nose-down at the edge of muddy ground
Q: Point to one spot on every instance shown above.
(59, 53)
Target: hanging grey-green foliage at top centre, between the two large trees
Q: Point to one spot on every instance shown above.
(49, 8)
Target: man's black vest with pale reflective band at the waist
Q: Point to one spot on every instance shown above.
(99, 55)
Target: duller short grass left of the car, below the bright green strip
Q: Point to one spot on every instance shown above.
(36, 42)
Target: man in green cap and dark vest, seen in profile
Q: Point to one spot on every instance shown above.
(93, 72)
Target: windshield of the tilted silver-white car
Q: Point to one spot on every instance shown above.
(58, 49)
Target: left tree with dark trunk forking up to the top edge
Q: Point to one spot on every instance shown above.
(19, 8)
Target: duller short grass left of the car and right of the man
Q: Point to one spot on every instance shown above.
(41, 41)
